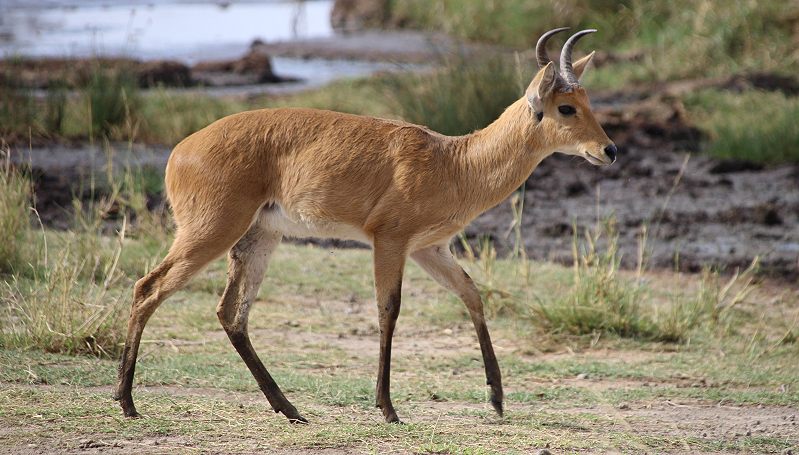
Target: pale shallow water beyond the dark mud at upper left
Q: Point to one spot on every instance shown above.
(175, 29)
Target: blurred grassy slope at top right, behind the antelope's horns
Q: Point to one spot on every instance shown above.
(679, 39)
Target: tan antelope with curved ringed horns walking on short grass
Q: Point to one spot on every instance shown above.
(245, 181)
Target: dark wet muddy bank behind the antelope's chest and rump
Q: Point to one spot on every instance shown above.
(720, 213)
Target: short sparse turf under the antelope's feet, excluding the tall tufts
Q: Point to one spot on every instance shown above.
(313, 331)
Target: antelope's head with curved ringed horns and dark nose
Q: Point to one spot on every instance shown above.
(561, 106)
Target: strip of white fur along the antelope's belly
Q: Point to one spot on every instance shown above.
(294, 225)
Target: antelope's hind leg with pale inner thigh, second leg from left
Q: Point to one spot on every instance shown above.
(248, 260)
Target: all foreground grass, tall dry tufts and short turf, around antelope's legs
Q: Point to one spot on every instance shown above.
(317, 333)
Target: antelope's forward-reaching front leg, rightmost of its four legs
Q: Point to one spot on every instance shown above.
(438, 262)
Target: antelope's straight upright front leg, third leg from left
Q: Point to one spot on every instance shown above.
(389, 260)
